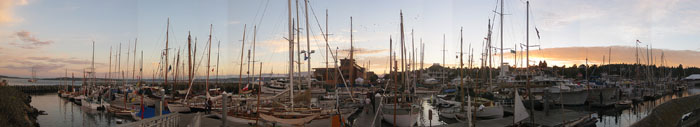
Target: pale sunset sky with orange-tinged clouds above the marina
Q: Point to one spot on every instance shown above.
(57, 36)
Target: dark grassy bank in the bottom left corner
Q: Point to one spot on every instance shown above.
(16, 111)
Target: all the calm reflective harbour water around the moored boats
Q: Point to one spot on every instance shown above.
(63, 113)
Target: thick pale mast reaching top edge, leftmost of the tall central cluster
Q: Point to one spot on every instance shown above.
(291, 52)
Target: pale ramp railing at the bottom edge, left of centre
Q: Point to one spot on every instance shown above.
(169, 120)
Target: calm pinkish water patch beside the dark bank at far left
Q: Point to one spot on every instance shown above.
(63, 113)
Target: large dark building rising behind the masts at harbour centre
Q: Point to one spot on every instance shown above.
(346, 65)
